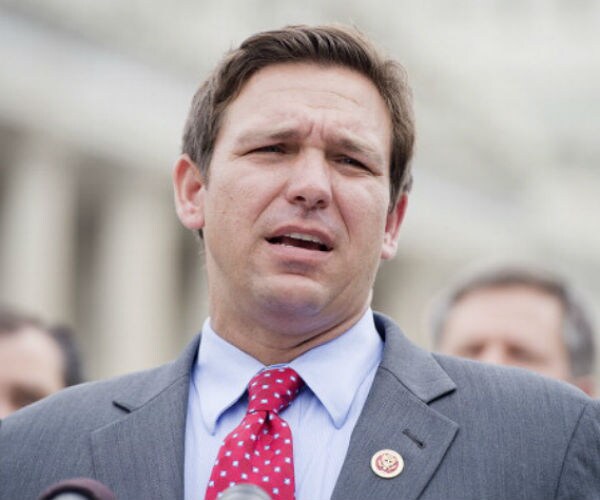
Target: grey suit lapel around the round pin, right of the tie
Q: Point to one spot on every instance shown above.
(396, 416)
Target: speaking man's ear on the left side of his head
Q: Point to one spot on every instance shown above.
(190, 190)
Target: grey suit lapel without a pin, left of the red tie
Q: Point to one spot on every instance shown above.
(141, 455)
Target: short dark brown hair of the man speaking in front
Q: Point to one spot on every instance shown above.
(323, 45)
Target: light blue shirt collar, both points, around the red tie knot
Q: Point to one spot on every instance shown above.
(333, 371)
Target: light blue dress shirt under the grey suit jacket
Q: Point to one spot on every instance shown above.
(338, 376)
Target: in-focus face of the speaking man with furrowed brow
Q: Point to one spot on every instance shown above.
(295, 214)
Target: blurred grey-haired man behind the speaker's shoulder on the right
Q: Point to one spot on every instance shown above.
(512, 315)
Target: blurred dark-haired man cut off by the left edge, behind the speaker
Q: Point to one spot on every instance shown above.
(35, 360)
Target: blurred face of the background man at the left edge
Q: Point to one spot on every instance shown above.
(31, 367)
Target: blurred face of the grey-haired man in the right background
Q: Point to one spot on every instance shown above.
(510, 325)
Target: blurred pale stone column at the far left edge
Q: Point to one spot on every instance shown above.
(38, 237)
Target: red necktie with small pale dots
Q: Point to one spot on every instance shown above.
(259, 450)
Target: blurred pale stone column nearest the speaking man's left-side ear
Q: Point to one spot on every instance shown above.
(136, 276)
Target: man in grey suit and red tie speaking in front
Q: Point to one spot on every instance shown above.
(295, 170)
